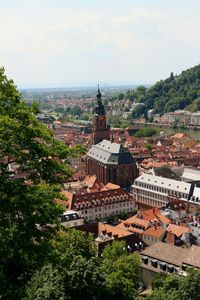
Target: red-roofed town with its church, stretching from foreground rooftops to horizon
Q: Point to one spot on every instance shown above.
(134, 183)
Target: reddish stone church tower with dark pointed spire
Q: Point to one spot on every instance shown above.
(101, 131)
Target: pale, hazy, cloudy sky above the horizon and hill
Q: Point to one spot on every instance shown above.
(63, 43)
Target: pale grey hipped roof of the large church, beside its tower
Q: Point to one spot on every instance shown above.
(107, 152)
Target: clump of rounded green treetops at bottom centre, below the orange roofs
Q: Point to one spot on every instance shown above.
(82, 275)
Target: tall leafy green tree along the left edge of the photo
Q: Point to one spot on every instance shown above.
(27, 207)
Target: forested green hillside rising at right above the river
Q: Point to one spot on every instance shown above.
(173, 93)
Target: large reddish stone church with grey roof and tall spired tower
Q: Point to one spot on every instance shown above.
(109, 161)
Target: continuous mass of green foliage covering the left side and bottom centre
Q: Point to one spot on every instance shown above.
(38, 258)
